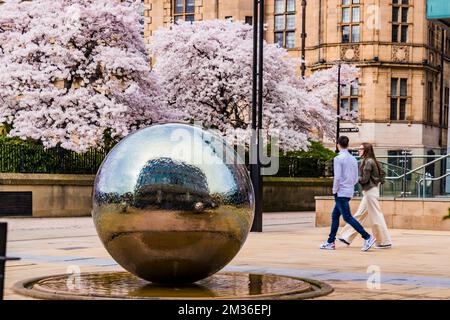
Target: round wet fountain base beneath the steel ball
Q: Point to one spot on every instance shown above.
(123, 285)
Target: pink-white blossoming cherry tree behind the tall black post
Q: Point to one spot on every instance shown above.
(206, 69)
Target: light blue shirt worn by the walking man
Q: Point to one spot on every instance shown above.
(345, 174)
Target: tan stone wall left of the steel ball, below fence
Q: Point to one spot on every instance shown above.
(53, 195)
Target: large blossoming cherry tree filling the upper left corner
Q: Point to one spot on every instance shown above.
(72, 71)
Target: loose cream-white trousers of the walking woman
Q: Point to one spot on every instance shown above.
(369, 209)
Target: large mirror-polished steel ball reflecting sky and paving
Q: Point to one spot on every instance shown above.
(173, 204)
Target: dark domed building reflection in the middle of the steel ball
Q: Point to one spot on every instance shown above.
(170, 184)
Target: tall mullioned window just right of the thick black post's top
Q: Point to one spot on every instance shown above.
(285, 23)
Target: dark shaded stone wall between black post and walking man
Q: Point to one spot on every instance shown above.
(294, 194)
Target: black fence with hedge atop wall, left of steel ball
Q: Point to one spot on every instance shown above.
(36, 159)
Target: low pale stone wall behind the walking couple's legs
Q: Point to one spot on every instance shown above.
(399, 213)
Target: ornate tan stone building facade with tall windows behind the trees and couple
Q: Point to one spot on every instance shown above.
(400, 53)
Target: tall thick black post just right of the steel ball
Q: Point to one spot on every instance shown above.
(257, 108)
